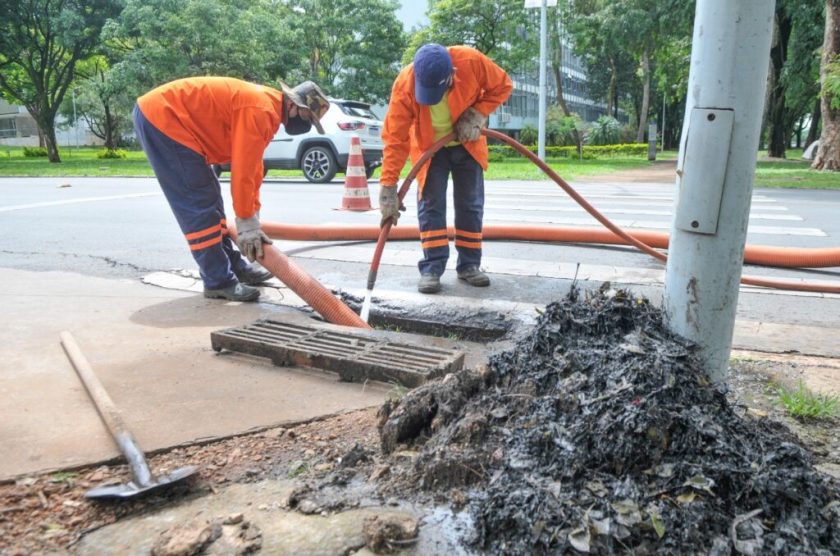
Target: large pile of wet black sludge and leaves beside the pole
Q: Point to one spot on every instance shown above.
(599, 434)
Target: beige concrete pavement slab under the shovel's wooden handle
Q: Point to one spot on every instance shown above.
(150, 347)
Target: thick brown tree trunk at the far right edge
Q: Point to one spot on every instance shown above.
(828, 153)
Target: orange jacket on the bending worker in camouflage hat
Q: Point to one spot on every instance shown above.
(223, 119)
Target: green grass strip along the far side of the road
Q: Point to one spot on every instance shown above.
(790, 173)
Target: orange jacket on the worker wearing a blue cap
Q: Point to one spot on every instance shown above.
(478, 82)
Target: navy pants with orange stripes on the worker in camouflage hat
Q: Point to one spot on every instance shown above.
(195, 196)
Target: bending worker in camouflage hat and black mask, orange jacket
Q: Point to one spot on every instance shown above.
(187, 125)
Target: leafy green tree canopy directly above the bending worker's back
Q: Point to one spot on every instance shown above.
(160, 40)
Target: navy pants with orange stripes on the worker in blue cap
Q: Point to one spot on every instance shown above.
(468, 194)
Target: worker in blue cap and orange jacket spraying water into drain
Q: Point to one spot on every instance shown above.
(444, 90)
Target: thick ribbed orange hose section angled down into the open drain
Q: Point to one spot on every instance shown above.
(307, 287)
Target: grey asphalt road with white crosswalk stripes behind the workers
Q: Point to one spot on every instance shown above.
(122, 227)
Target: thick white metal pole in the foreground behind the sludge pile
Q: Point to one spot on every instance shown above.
(716, 166)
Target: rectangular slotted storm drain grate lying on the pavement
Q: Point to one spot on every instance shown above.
(354, 357)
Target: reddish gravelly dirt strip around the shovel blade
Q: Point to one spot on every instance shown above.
(48, 513)
